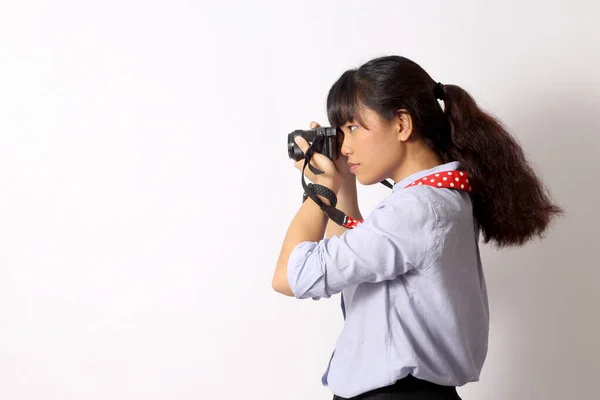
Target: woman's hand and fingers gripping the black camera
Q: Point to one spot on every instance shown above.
(334, 174)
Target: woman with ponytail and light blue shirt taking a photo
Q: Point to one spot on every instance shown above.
(413, 290)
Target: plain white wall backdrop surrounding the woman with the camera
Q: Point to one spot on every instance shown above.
(145, 189)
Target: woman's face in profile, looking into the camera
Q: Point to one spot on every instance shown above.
(377, 150)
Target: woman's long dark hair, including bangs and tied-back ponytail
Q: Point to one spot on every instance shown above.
(510, 203)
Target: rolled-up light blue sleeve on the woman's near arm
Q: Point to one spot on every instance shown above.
(396, 237)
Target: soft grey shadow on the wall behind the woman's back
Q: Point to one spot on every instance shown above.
(544, 297)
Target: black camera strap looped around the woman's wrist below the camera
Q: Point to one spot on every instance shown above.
(313, 190)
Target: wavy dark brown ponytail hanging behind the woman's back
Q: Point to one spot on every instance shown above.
(510, 203)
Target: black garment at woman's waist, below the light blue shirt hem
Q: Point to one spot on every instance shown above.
(409, 388)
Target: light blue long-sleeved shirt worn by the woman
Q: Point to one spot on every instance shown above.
(413, 289)
